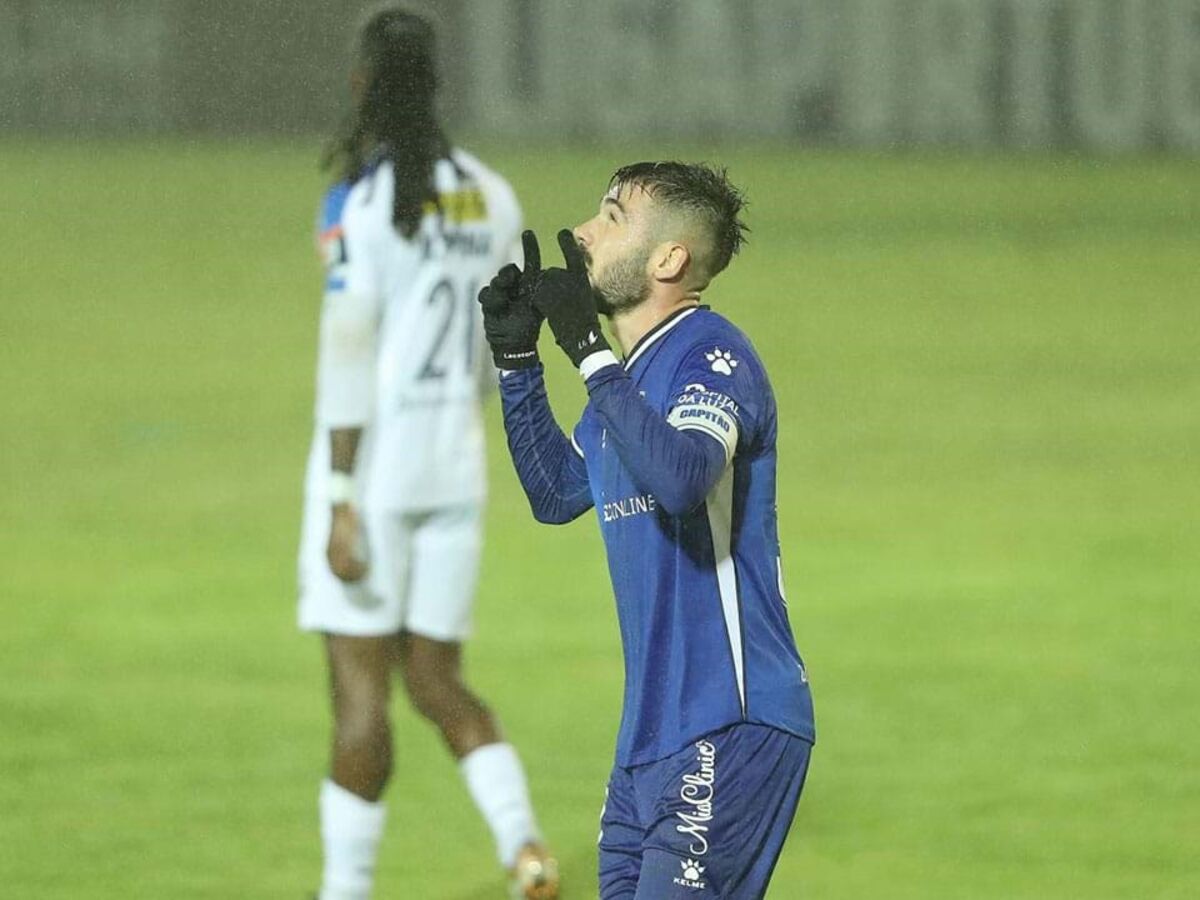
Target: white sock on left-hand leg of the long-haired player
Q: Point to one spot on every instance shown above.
(350, 833)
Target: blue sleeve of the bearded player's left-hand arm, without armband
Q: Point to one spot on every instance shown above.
(554, 476)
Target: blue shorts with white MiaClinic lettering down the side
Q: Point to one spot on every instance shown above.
(707, 823)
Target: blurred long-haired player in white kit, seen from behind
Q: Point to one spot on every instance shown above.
(391, 545)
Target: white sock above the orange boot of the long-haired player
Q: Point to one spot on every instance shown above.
(497, 784)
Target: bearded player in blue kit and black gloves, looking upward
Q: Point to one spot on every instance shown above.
(676, 452)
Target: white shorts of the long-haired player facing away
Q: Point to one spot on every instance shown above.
(422, 573)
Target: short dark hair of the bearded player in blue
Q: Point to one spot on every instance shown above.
(698, 189)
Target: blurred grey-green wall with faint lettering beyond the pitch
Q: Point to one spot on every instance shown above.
(1111, 77)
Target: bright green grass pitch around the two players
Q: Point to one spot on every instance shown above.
(989, 385)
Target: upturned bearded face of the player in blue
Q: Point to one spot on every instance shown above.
(617, 249)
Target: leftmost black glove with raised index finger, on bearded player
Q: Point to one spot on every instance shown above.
(511, 321)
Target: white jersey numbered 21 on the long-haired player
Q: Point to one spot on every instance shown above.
(419, 404)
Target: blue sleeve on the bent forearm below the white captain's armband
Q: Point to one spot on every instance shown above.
(680, 467)
